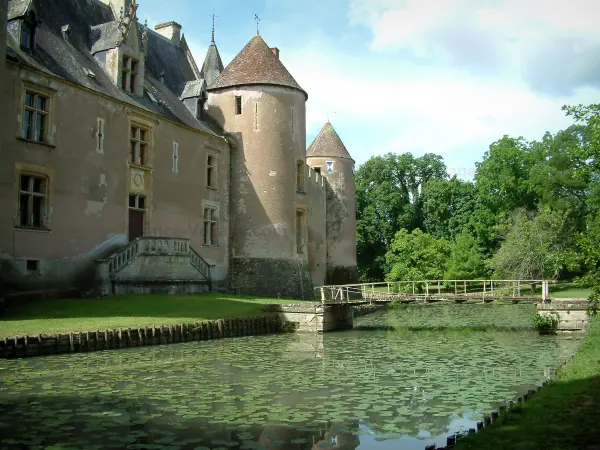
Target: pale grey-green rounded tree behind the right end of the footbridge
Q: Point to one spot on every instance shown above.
(536, 247)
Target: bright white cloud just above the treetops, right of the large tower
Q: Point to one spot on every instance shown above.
(389, 105)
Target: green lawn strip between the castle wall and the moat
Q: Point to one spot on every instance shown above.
(129, 311)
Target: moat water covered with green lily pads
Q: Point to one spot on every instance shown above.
(375, 387)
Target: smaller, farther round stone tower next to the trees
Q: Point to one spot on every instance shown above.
(328, 155)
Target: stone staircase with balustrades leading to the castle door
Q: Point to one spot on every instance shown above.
(149, 265)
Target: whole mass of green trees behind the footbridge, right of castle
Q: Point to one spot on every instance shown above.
(532, 211)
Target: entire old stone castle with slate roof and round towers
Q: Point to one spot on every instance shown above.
(127, 168)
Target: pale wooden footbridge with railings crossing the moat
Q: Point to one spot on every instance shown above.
(431, 291)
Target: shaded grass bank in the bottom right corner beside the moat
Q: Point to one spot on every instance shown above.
(562, 416)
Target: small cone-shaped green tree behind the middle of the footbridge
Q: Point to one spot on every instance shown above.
(466, 261)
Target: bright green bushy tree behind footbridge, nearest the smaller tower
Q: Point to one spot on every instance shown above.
(416, 256)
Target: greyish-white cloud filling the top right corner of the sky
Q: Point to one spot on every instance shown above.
(503, 37)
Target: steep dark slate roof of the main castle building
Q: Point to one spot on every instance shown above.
(69, 58)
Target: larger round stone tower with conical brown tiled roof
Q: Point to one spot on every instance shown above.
(261, 108)
